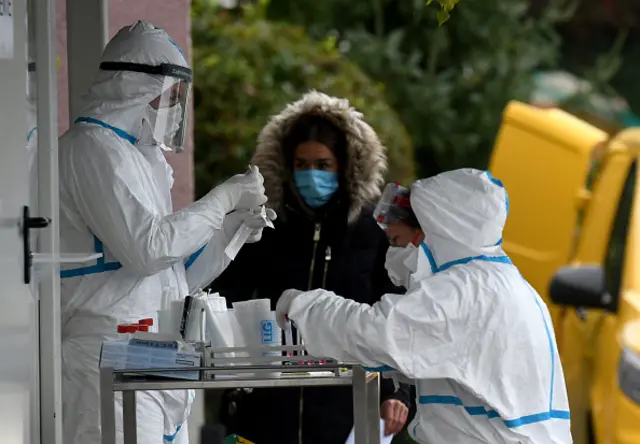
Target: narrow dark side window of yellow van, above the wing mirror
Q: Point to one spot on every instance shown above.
(615, 254)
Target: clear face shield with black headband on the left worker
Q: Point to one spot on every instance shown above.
(168, 111)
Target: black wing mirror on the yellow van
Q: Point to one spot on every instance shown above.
(581, 287)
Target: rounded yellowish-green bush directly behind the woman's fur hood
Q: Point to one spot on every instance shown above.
(247, 69)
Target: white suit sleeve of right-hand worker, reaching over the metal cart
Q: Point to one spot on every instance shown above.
(425, 333)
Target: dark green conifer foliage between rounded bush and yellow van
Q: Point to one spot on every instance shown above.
(449, 84)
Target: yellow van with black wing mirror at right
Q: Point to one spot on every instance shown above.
(574, 232)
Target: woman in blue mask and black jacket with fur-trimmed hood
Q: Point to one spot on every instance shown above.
(323, 167)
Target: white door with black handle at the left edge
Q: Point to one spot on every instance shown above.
(18, 308)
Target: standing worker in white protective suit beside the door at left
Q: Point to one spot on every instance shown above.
(115, 200)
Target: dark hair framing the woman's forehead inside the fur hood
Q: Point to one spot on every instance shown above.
(314, 128)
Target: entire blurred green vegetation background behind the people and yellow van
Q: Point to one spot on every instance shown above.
(431, 78)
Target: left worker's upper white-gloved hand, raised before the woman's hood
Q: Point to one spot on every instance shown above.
(242, 191)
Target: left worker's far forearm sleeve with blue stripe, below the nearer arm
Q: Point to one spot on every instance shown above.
(207, 263)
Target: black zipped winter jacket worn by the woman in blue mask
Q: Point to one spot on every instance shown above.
(349, 261)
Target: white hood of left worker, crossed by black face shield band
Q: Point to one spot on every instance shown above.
(120, 98)
